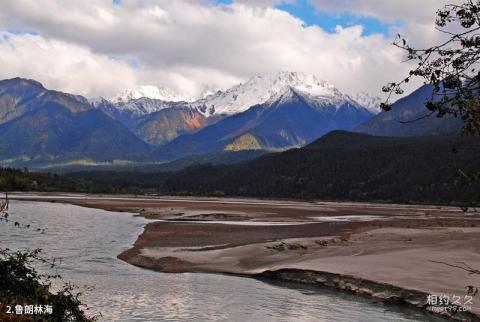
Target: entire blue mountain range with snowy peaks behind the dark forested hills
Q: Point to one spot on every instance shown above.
(267, 113)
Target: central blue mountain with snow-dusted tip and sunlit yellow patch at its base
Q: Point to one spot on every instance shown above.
(289, 118)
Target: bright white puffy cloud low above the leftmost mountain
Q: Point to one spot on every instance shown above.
(64, 66)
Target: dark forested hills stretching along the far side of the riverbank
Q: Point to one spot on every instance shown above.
(339, 166)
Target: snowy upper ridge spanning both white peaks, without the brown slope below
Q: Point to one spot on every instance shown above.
(239, 98)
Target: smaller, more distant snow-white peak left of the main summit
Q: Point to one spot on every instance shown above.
(149, 91)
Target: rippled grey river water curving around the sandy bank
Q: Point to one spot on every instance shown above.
(86, 242)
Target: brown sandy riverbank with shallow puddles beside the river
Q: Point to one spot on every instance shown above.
(390, 252)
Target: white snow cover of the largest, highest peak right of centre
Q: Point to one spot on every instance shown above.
(260, 89)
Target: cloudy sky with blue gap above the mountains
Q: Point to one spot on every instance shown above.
(101, 47)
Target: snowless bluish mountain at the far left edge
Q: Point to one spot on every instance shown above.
(41, 126)
